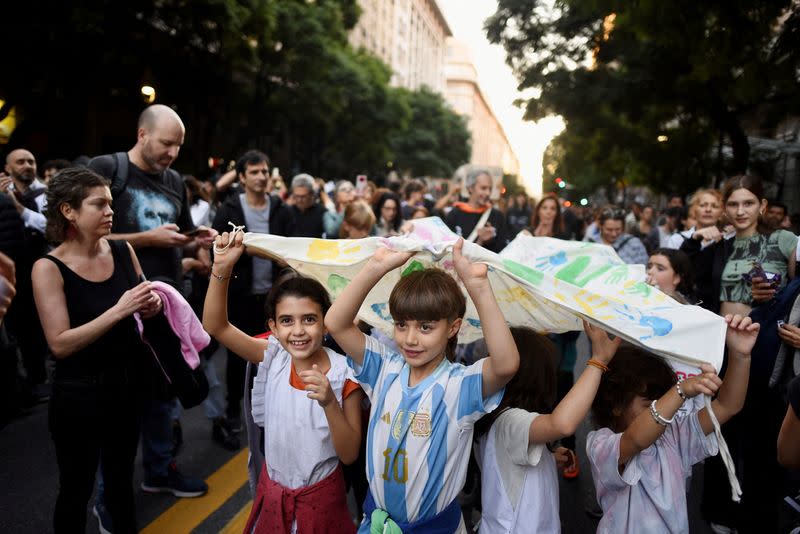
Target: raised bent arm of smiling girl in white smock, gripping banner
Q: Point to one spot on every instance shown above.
(215, 309)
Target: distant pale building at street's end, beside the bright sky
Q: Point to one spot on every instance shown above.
(490, 145)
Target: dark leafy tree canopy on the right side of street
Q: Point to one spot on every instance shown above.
(622, 74)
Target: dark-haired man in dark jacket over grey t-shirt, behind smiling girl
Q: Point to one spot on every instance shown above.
(257, 211)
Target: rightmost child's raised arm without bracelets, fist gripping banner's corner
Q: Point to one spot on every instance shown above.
(740, 338)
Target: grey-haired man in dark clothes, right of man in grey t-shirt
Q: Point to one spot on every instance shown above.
(302, 215)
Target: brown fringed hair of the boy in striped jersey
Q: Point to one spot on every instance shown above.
(428, 295)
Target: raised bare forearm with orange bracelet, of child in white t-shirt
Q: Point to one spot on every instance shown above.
(576, 403)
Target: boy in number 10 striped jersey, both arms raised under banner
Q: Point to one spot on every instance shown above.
(423, 405)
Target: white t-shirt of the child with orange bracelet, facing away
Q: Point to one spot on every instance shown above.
(519, 480)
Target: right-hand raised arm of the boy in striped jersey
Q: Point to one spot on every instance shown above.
(503, 360)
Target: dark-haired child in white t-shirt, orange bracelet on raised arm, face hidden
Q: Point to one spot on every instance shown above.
(519, 489)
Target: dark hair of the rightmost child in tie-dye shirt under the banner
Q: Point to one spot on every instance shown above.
(632, 372)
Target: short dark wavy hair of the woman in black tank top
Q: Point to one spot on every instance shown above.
(70, 186)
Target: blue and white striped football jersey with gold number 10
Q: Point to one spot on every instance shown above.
(419, 438)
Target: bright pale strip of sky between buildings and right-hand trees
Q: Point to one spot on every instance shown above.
(528, 140)
